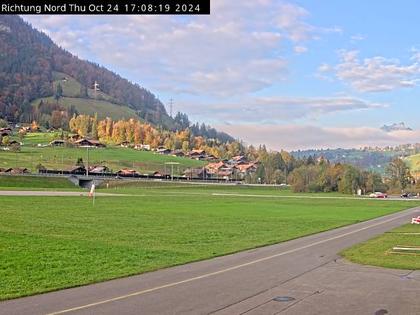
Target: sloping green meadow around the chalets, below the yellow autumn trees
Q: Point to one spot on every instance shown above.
(114, 157)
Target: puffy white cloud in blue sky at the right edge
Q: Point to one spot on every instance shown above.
(376, 74)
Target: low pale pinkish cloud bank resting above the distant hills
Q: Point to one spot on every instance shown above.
(294, 137)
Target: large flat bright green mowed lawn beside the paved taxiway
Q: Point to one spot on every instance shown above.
(48, 243)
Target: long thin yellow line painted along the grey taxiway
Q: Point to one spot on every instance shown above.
(208, 275)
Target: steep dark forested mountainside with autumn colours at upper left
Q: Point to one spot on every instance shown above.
(31, 65)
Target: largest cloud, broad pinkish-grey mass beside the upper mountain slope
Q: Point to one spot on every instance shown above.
(237, 49)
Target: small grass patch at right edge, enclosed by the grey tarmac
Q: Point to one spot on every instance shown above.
(376, 252)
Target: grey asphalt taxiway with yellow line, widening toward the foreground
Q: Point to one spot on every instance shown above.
(306, 269)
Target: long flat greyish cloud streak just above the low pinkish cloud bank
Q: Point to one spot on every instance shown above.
(271, 110)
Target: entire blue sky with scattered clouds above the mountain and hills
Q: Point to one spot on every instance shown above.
(289, 74)
